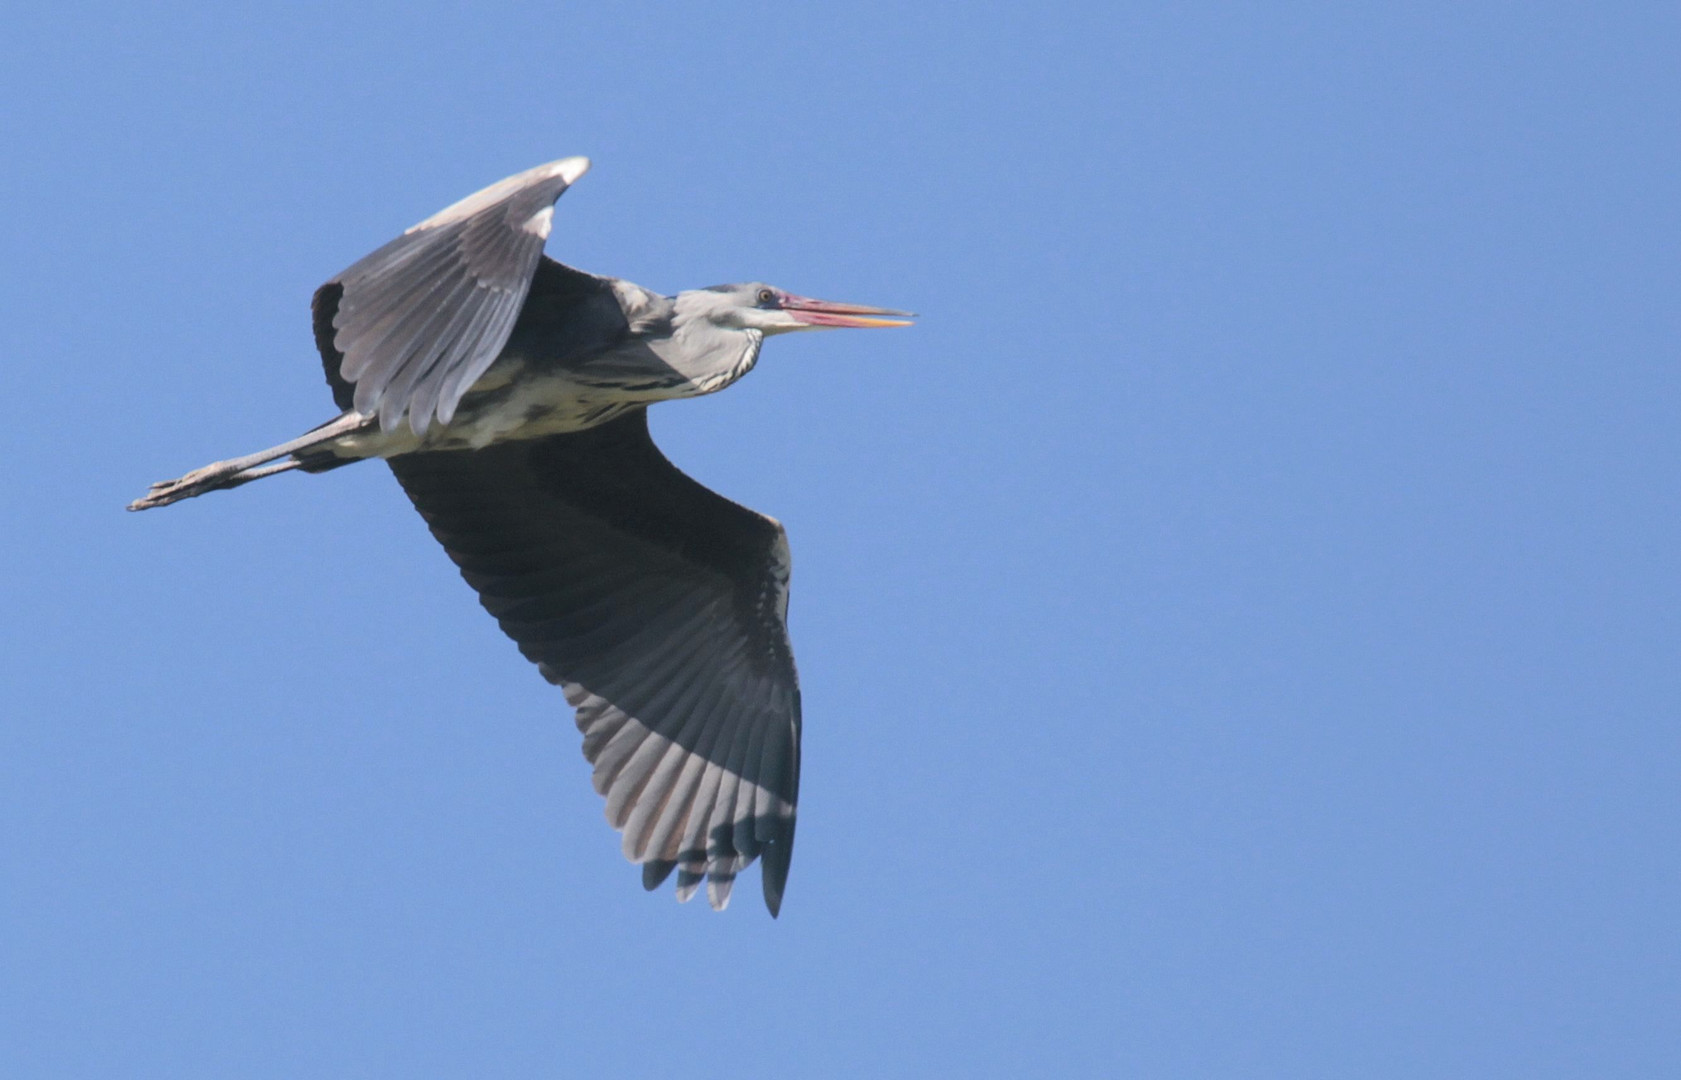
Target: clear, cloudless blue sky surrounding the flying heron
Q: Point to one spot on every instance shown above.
(1238, 627)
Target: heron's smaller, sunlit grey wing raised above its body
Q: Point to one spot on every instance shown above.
(421, 319)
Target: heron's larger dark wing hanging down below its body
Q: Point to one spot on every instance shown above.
(661, 610)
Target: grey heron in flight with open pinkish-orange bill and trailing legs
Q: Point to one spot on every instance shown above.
(510, 394)
